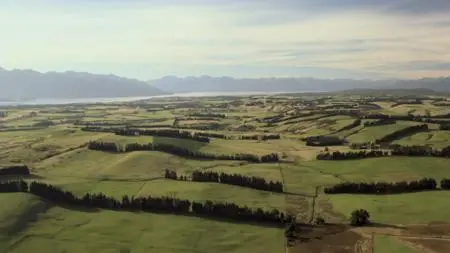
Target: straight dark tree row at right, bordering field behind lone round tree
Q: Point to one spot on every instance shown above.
(424, 184)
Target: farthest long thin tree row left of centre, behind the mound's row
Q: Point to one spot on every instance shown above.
(180, 134)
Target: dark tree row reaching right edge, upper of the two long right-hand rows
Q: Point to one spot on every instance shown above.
(396, 150)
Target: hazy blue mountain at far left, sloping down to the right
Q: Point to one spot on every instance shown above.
(28, 84)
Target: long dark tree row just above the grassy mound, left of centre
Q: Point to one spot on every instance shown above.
(183, 152)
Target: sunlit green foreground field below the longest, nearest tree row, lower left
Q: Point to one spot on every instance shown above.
(63, 230)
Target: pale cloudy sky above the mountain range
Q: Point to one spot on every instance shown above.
(149, 39)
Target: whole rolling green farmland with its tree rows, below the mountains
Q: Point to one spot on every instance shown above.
(214, 174)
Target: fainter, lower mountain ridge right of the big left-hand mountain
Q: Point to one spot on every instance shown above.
(217, 84)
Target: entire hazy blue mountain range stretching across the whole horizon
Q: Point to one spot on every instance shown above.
(29, 84)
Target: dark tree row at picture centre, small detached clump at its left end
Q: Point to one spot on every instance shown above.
(257, 183)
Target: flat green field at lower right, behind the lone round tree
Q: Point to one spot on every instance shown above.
(411, 208)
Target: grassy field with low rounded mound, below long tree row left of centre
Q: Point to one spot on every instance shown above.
(90, 164)
